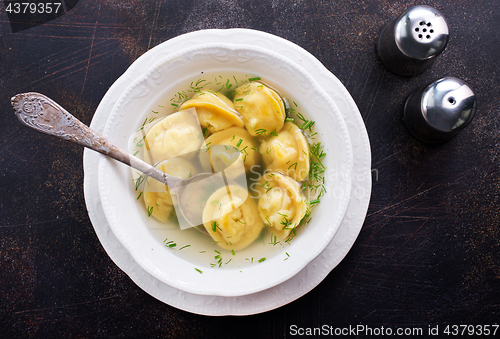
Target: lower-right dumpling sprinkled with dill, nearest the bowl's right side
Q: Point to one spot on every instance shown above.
(281, 203)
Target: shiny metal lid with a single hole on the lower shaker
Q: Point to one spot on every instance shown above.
(448, 104)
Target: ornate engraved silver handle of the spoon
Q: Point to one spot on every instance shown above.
(43, 114)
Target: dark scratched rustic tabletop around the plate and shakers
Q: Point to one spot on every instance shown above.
(429, 250)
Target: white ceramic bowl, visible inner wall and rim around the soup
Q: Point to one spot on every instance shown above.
(142, 236)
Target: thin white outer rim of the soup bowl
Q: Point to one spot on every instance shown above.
(335, 114)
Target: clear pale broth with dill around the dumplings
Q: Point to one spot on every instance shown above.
(192, 245)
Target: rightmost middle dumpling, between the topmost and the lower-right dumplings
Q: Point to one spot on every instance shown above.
(287, 153)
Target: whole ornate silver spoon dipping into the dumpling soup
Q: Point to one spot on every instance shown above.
(43, 114)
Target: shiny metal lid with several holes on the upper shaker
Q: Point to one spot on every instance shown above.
(421, 32)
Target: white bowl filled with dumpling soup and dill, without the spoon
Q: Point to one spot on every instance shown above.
(283, 194)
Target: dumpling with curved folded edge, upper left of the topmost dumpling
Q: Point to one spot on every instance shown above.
(215, 111)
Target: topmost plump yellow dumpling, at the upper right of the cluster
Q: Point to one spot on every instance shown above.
(261, 107)
